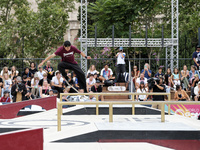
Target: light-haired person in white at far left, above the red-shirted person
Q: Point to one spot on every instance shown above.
(7, 84)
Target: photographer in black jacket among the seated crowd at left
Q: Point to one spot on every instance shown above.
(18, 90)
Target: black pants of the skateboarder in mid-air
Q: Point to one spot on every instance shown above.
(78, 71)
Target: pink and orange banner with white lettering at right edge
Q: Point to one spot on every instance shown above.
(192, 111)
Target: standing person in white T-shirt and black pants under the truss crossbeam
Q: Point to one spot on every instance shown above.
(120, 65)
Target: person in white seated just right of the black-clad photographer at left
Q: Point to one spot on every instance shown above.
(34, 86)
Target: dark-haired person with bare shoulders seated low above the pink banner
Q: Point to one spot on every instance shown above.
(181, 95)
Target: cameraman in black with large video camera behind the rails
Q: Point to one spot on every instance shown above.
(158, 87)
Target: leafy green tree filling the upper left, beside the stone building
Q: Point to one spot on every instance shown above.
(26, 33)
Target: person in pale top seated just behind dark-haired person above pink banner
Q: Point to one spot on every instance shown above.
(185, 77)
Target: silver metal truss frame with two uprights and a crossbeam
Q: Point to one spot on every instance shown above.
(171, 44)
